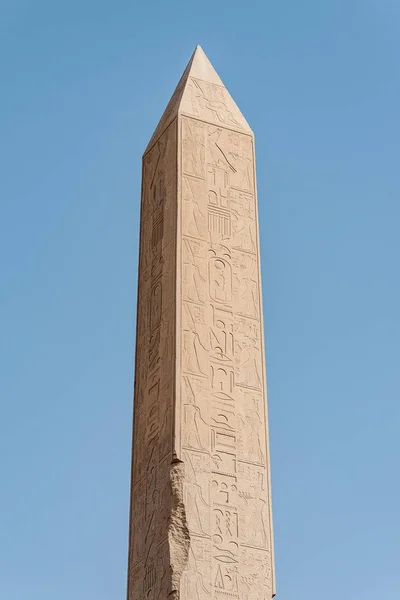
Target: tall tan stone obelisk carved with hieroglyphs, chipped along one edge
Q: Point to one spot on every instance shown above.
(200, 520)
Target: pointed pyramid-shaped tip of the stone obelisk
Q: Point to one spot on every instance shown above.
(201, 94)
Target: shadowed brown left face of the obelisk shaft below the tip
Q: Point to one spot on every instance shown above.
(154, 382)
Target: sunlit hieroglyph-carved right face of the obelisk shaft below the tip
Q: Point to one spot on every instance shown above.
(222, 349)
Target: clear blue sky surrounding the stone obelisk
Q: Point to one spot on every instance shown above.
(83, 84)
